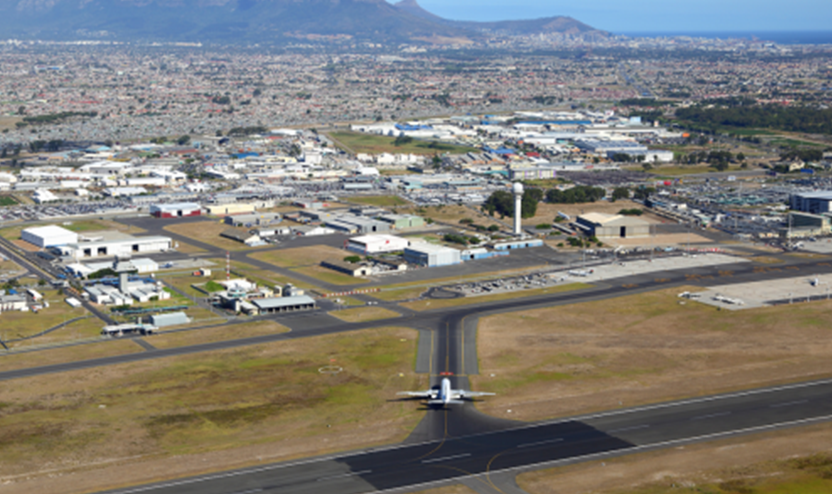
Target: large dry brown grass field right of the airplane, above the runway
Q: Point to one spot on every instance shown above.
(643, 349)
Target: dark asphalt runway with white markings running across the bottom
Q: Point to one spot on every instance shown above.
(418, 466)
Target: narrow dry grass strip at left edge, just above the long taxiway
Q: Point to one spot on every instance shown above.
(12, 361)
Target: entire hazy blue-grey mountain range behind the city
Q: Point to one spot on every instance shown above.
(252, 21)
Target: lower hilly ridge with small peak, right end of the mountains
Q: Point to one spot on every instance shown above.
(546, 25)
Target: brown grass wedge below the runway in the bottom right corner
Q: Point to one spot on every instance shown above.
(772, 463)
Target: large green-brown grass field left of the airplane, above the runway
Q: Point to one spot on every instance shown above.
(228, 407)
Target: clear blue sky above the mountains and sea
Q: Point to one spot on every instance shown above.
(628, 16)
